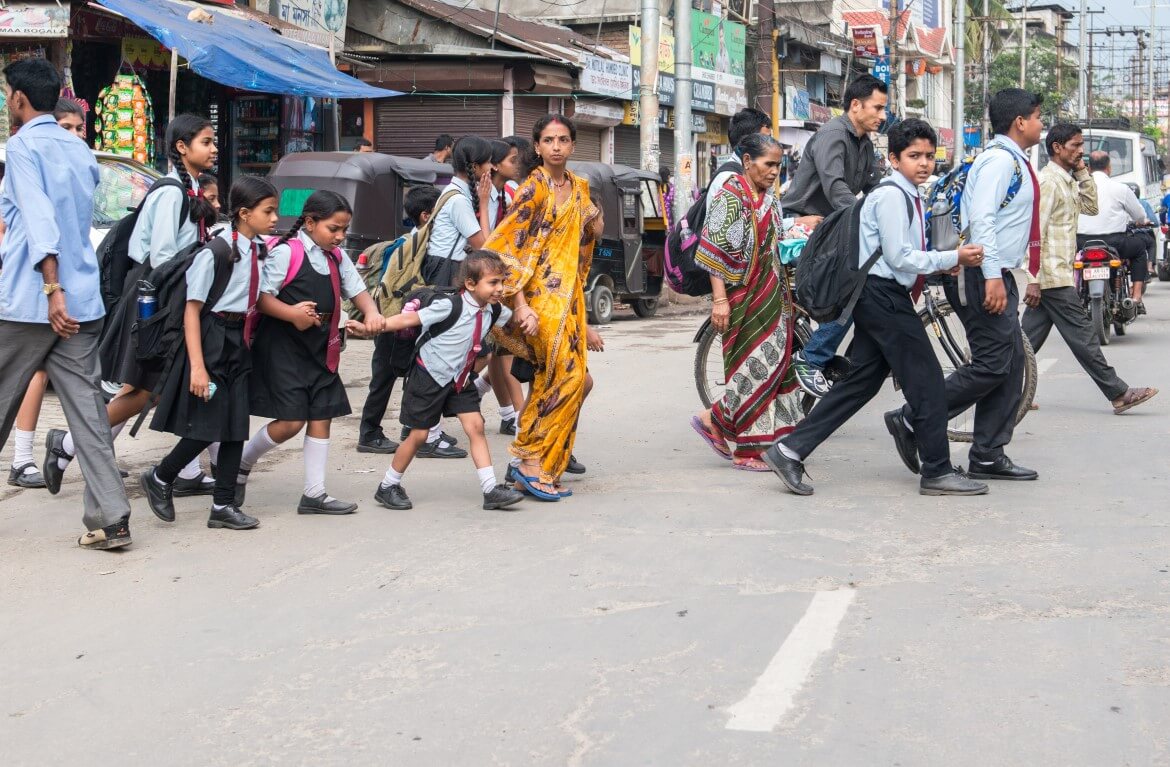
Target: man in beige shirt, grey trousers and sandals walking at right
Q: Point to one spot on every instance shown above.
(1068, 191)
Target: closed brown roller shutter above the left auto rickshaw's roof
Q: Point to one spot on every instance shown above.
(408, 126)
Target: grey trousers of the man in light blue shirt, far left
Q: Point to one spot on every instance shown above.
(73, 368)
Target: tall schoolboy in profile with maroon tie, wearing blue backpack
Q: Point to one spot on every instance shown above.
(987, 300)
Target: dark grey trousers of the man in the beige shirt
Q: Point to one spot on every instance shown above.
(1063, 308)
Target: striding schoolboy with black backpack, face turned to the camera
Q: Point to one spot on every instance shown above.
(889, 334)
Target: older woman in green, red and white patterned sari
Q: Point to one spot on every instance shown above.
(753, 309)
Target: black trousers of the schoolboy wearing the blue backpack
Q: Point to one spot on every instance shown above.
(994, 381)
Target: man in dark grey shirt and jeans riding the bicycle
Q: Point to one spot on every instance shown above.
(838, 165)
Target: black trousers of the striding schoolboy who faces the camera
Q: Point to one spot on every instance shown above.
(887, 336)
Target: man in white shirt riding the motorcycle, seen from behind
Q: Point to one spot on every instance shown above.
(1118, 208)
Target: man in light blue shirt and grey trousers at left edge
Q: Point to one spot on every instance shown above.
(51, 300)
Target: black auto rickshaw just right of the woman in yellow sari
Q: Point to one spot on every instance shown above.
(628, 260)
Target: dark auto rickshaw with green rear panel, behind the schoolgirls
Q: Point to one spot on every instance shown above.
(375, 184)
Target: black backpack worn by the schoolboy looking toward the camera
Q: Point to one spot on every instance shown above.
(829, 280)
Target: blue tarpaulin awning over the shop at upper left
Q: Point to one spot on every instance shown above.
(242, 53)
